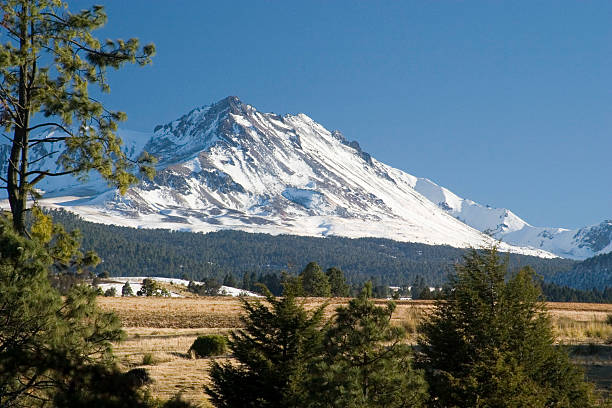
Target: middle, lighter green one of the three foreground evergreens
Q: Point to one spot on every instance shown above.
(366, 362)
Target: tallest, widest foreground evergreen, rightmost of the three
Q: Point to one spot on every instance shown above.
(490, 343)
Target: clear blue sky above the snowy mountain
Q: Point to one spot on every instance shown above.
(507, 103)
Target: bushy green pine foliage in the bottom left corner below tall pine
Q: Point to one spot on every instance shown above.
(53, 348)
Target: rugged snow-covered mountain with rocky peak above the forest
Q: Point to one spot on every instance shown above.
(228, 166)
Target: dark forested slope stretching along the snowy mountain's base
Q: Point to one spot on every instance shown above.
(138, 252)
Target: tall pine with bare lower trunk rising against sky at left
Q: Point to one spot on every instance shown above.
(47, 61)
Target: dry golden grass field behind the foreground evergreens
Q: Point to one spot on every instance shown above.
(161, 330)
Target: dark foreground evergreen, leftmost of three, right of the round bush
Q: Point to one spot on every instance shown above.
(273, 351)
